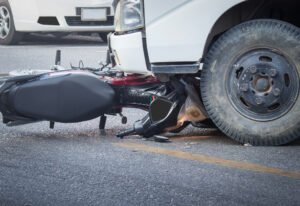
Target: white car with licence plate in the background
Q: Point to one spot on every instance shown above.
(18, 17)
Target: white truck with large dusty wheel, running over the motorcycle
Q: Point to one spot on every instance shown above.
(246, 55)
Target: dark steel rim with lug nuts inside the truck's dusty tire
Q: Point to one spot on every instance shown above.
(263, 85)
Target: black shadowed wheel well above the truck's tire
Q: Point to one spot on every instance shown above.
(285, 10)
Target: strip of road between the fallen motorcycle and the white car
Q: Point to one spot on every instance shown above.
(38, 52)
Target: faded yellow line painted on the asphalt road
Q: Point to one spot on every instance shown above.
(211, 160)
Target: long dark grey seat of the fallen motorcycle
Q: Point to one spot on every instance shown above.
(65, 97)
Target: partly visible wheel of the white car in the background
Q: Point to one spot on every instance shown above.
(8, 33)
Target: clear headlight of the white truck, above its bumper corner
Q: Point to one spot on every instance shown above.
(129, 15)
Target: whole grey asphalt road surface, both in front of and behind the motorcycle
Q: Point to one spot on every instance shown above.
(76, 164)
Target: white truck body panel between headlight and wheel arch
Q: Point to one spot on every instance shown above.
(172, 38)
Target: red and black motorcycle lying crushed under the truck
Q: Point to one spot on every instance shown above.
(81, 94)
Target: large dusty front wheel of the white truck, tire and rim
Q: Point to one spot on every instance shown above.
(250, 83)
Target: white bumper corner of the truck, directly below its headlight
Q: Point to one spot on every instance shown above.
(128, 52)
